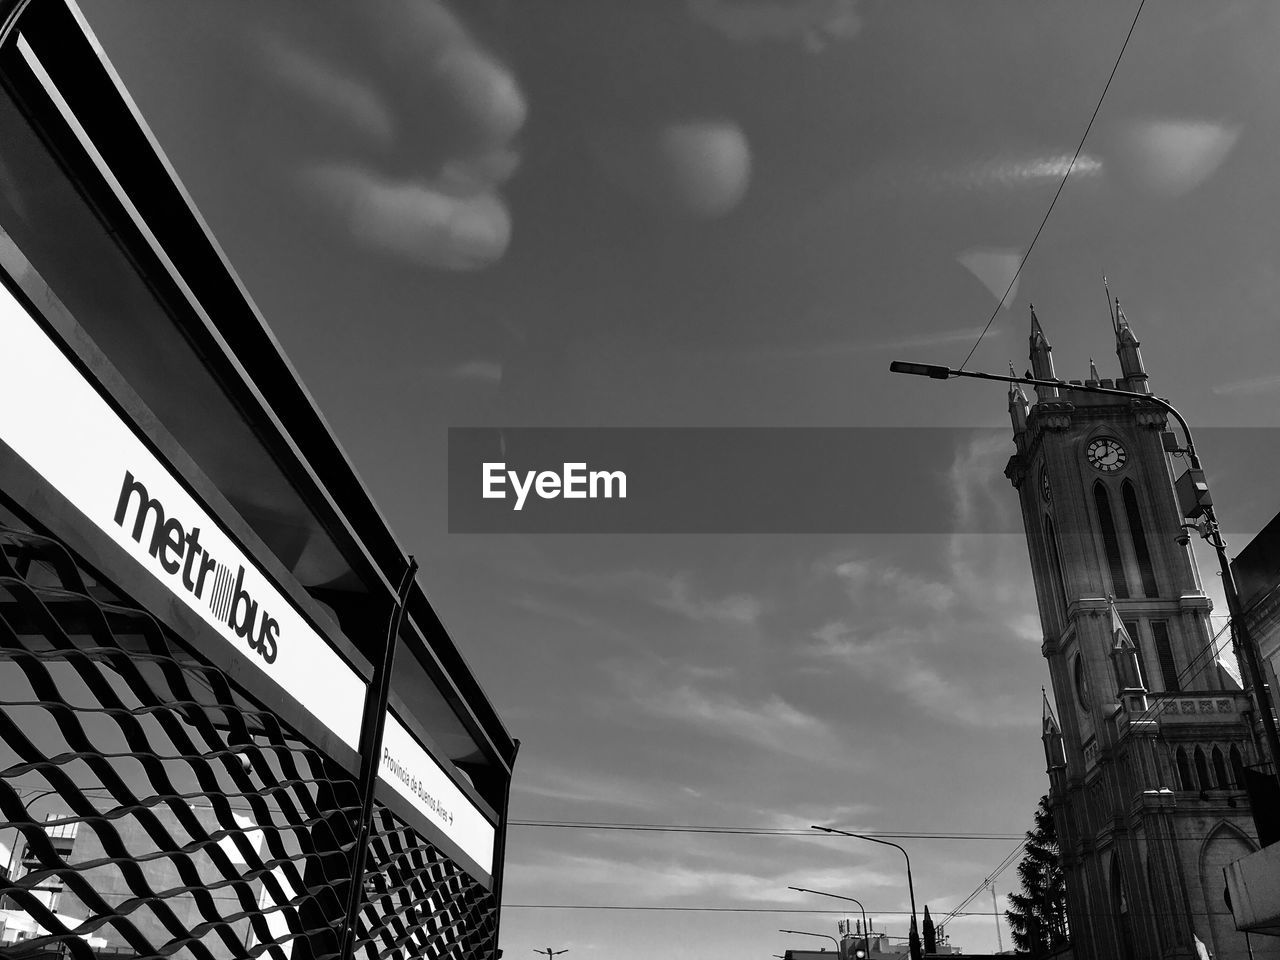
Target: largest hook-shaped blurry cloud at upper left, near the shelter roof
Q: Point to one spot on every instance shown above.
(350, 131)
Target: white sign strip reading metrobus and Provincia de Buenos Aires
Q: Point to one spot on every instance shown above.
(57, 422)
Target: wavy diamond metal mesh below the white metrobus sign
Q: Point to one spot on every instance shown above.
(156, 812)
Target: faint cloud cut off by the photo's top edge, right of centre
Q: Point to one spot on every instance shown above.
(813, 22)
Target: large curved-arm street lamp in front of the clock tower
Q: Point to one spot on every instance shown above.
(1210, 529)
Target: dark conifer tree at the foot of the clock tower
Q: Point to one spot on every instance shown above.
(1039, 915)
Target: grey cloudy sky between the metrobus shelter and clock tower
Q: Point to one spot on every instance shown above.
(734, 213)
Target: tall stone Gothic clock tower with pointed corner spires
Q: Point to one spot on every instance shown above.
(1151, 737)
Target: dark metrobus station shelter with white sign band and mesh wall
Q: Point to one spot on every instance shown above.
(196, 589)
